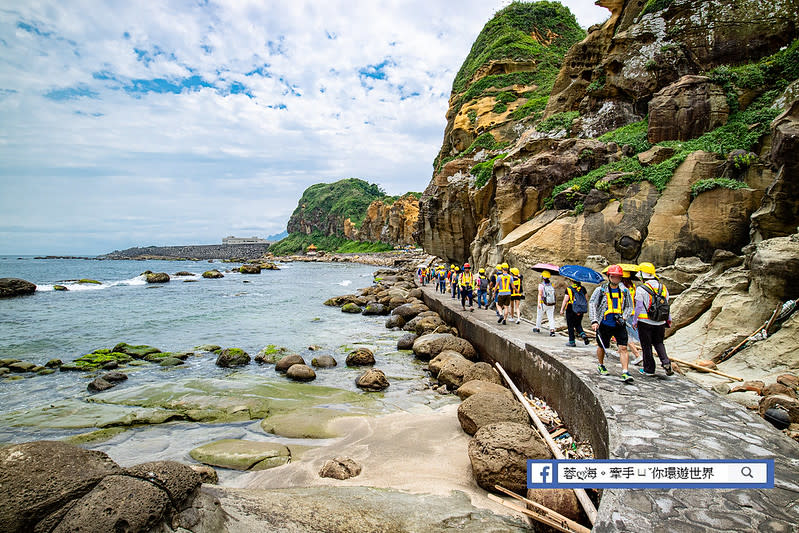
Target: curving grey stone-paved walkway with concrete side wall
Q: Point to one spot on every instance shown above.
(652, 418)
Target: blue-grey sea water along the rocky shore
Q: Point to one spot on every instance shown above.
(282, 307)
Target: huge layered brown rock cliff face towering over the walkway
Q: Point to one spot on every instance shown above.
(592, 175)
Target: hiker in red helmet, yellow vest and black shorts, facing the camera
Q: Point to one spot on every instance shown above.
(610, 304)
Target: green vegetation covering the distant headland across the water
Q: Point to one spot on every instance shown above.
(347, 198)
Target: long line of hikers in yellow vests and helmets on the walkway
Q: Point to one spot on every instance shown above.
(616, 309)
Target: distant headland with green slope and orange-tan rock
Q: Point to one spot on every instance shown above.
(356, 210)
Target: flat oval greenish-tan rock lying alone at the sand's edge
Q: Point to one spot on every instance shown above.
(242, 454)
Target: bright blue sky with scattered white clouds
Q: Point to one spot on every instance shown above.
(181, 122)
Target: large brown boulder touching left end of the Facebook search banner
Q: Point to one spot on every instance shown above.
(499, 453)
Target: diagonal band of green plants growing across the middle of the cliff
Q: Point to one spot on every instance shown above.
(742, 132)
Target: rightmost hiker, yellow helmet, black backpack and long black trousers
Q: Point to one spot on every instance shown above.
(651, 317)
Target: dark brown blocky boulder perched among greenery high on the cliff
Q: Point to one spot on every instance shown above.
(686, 109)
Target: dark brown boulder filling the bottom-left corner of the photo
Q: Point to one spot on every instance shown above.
(42, 476)
